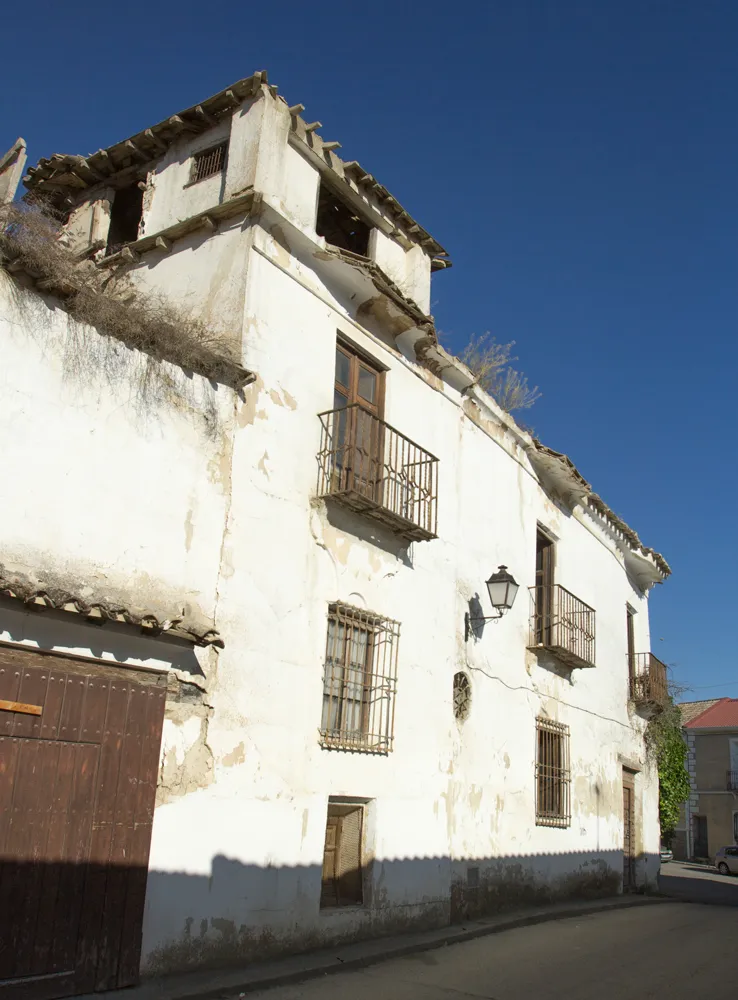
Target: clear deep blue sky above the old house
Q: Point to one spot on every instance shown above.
(579, 160)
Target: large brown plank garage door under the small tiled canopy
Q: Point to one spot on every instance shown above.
(77, 790)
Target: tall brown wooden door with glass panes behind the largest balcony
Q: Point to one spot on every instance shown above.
(359, 444)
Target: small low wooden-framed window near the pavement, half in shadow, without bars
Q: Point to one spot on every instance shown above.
(342, 882)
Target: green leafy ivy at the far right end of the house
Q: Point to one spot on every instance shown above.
(664, 742)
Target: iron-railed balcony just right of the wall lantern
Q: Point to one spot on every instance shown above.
(562, 625)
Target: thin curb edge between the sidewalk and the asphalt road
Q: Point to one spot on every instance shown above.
(326, 967)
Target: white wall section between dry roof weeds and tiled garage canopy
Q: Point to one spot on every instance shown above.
(117, 486)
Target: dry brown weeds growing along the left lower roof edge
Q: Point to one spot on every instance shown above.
(29, 242)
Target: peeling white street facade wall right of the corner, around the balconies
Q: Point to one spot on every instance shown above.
(450, 795)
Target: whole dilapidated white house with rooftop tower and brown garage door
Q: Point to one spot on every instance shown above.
(275, 569)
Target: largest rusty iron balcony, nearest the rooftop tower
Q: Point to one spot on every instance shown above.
(371, 468)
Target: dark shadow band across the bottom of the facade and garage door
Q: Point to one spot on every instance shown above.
(89, 921)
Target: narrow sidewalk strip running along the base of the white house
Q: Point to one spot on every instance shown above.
(229, 983)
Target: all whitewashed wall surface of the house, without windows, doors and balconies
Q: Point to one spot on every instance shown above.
(209, 498)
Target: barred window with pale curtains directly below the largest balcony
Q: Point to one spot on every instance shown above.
(360, 680)
